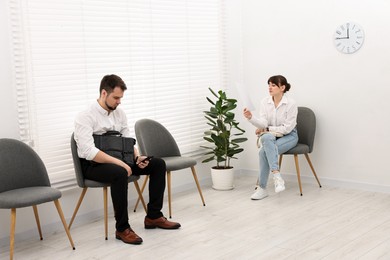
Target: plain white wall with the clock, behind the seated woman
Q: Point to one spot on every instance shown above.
(349, 93)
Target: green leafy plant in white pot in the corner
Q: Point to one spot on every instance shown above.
(224, 137)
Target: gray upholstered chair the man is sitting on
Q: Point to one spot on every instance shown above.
(86, 183)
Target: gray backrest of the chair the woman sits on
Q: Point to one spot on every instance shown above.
(306, 126)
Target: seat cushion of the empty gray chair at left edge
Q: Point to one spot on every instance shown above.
(26, 197)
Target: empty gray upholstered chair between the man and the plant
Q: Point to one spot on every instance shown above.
(155, 140)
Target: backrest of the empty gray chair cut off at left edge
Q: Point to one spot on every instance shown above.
(20, 166)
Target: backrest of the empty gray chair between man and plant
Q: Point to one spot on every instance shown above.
(154, 139)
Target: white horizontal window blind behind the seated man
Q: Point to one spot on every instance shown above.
(168, 52)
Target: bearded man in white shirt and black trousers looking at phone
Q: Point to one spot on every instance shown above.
(102, 116)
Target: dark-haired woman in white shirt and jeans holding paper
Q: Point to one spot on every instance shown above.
(276, 125)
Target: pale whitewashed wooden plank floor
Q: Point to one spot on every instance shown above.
(327, 223)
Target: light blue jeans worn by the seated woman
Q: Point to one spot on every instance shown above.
(271, 147)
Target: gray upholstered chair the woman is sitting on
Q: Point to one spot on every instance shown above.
(306, 126)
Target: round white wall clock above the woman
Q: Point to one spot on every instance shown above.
(348, 38)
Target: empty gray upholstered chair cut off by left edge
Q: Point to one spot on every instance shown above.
(24, 182)
